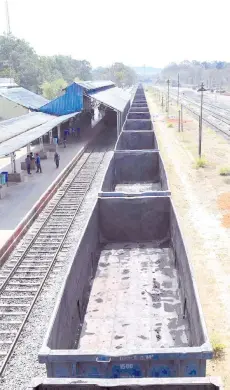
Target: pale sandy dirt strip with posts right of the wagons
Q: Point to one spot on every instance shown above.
(202, 200)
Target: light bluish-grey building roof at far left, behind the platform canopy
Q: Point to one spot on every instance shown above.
(23, 96)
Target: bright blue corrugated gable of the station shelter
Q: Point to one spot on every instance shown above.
(71, 101)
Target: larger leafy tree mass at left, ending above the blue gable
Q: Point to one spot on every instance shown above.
(19, 60)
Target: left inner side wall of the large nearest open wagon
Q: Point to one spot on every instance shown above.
(74, 297)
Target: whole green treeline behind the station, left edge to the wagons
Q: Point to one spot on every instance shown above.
(49, 74)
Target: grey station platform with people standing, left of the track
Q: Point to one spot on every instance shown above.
(21, 197)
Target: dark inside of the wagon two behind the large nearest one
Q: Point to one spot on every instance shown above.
(137, 140)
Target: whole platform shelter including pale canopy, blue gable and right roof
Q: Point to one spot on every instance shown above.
(71, 109)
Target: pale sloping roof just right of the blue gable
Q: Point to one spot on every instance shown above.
(115, 98)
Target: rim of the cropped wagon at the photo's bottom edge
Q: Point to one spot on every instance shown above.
(127, 384)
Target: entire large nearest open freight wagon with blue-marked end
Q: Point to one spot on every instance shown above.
(129, 306)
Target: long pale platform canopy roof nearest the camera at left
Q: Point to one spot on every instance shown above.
(27, 130)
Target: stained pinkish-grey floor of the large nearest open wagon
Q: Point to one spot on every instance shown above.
(134, 303)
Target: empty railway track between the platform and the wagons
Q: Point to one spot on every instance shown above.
(23, 276)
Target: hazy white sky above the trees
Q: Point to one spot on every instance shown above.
(151, 32)
